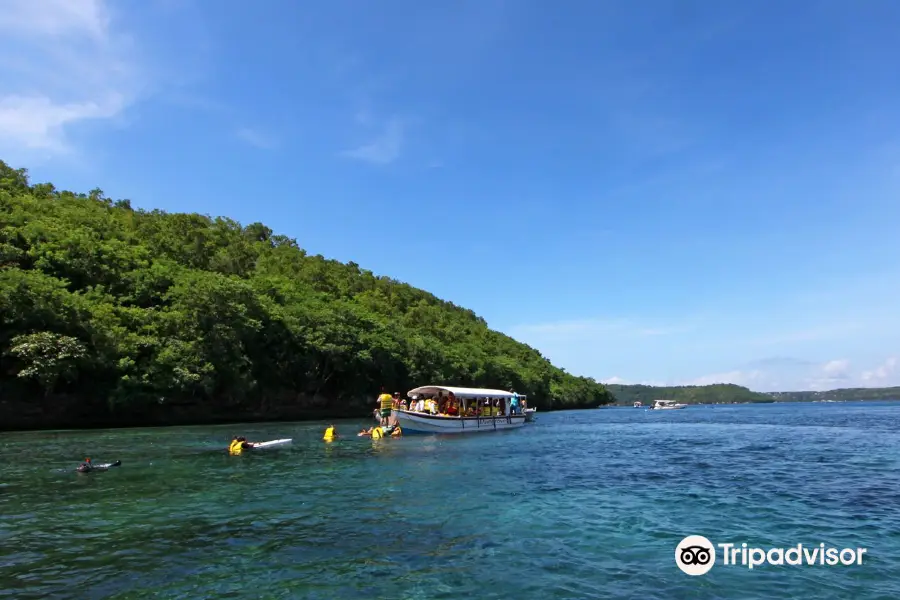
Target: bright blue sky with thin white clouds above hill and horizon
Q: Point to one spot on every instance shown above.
(660, 192)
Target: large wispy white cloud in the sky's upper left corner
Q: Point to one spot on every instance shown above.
(62, 64)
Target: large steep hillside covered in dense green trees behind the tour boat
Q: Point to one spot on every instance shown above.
(114, 315)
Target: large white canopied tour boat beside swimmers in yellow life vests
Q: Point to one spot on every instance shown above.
(498, 417)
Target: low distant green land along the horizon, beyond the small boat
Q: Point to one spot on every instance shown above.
(734, 394)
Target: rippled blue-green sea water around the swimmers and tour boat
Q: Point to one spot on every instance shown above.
(585, 504)
